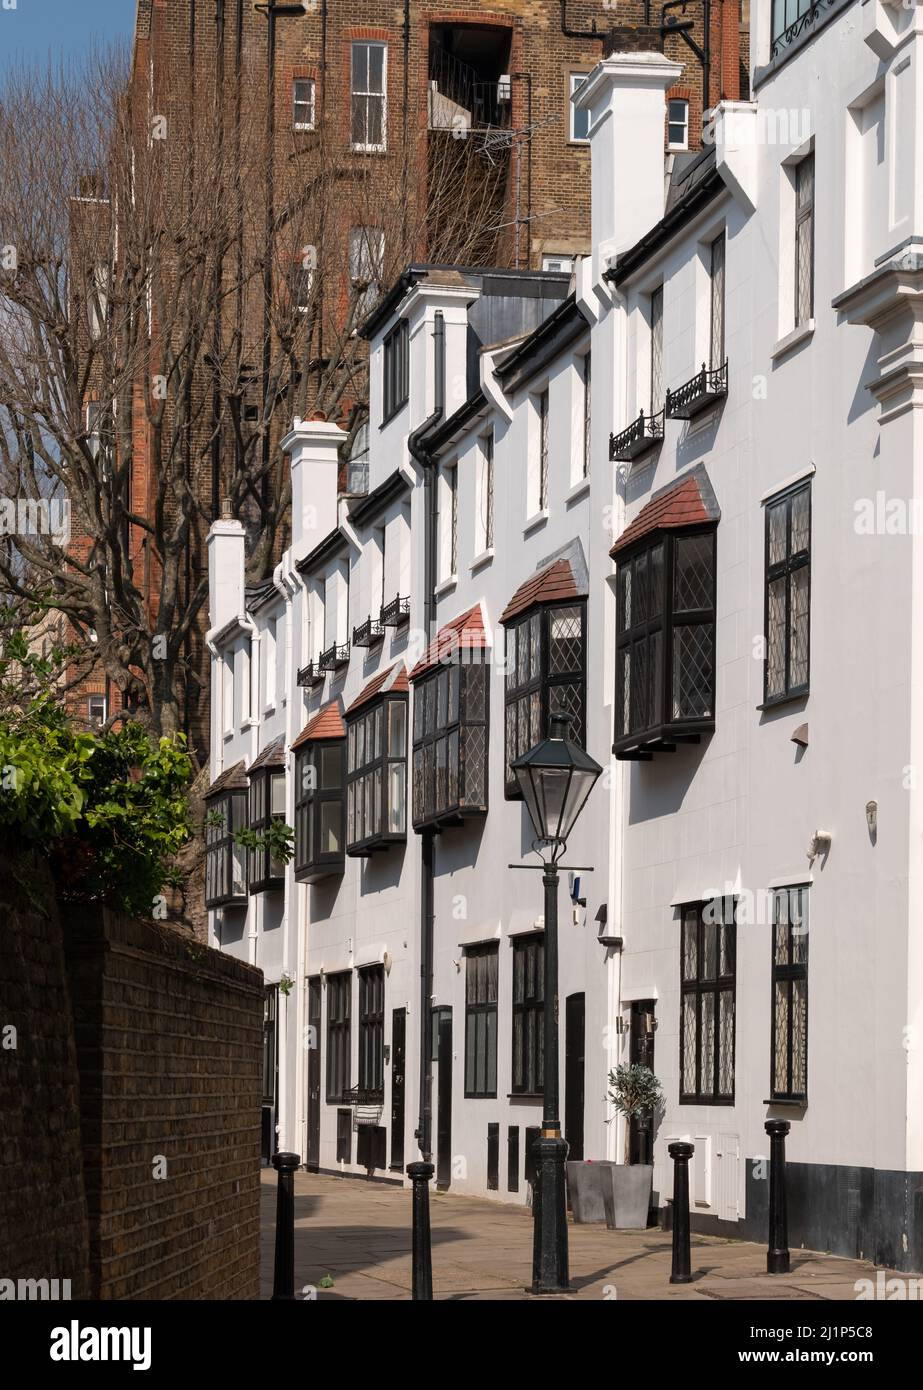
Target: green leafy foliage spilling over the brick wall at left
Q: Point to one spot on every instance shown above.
(109, 810)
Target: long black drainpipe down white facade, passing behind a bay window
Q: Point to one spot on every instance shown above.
(427, 860)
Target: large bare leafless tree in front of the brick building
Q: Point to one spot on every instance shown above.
(166, 313)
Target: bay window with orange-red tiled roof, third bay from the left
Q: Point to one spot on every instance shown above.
(320, 797)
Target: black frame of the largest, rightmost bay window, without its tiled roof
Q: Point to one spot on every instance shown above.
(664, 725)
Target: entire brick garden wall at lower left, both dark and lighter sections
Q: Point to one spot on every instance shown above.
(130, 1109)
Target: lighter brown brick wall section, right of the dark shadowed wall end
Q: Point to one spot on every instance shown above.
(169, 1045)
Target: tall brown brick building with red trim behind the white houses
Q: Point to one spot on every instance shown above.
(397, 133)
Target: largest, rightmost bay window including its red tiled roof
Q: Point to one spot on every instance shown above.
(665, 647)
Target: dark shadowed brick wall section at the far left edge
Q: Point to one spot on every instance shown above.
(44, 1232)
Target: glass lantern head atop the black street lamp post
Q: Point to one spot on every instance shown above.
(555, 779)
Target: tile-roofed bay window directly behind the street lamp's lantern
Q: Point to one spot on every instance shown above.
(546, 662)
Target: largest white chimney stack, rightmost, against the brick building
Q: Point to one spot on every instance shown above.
(626, 98)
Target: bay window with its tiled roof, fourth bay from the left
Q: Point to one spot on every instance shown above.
(377, 767)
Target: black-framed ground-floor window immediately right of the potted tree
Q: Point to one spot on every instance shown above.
(710, 915)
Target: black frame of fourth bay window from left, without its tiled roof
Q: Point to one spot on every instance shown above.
(384, 761)
